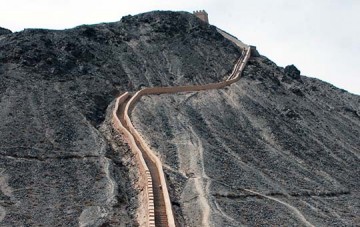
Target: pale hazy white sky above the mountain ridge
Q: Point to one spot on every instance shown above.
(320, 37)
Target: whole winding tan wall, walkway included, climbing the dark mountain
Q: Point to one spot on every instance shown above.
(152, 179)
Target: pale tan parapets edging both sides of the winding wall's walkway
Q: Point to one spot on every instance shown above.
(125, 126)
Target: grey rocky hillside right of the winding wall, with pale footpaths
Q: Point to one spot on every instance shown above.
(273, 149)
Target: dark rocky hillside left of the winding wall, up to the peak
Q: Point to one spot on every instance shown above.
(58, 165)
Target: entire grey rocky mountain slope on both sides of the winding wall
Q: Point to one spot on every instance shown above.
(276, 148)
